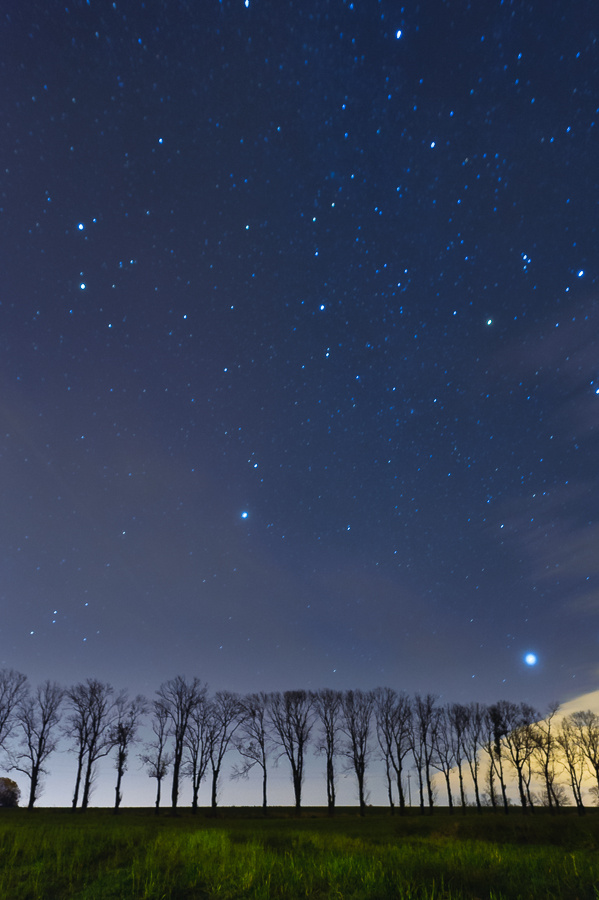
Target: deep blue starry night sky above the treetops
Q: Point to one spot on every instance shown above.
(298, 344)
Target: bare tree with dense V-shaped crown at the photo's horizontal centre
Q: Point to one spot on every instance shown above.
(292, 717)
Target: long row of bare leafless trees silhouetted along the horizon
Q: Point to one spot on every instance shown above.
(192, 732)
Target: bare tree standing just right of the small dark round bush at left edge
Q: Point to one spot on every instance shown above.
(38, 715)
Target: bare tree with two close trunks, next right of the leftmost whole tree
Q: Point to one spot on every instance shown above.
(93, 712)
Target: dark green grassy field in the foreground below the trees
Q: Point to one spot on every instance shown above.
(55, 854)
